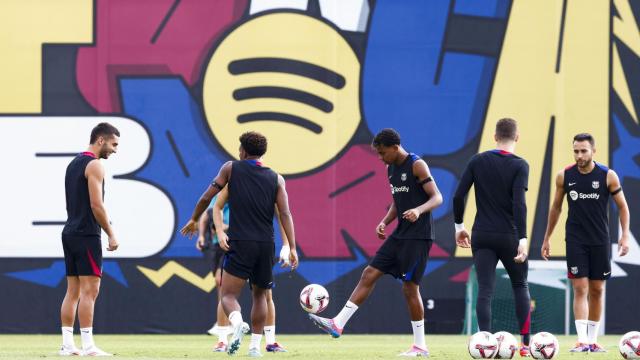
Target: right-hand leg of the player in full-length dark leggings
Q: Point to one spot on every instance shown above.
(518, 273)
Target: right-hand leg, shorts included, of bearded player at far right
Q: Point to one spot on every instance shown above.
(599, 272)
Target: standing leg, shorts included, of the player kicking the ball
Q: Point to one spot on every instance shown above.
(412, 262)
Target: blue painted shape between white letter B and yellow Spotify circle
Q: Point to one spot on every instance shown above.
(165, 105)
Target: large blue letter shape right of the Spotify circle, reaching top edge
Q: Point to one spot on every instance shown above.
(399, 71)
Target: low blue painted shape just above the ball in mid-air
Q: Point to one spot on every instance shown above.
(326, 271)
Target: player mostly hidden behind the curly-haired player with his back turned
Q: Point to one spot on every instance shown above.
(221, 207)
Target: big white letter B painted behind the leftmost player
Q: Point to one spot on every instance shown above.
(33, 187)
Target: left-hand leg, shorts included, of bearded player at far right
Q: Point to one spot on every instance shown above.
(578, 272)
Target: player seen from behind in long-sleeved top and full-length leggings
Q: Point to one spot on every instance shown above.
(500, 180)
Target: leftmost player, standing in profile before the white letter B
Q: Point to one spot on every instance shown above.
(86, 216)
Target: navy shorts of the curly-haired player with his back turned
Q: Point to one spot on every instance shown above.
(251, 260)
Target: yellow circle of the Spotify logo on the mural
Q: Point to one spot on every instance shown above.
(292, 148)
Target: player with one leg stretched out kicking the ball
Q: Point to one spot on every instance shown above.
(404, 253)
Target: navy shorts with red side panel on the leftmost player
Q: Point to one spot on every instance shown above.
(82, 255)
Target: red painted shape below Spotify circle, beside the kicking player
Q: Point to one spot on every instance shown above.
(320, 218)
